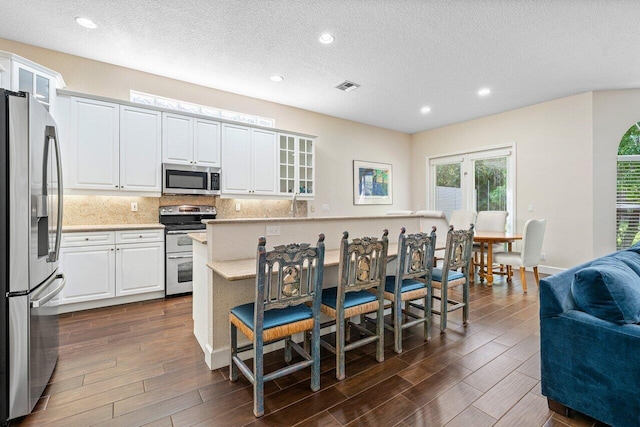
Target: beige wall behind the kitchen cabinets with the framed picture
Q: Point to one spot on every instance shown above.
(339, 141)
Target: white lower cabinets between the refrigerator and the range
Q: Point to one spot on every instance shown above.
(131, 263)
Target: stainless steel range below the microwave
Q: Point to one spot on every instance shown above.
(179, 220)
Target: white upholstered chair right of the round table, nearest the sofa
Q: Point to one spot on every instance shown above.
(532, 238)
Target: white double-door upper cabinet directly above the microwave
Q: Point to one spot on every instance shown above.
(190, 140)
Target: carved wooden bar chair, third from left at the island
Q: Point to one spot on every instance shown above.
(412, 281)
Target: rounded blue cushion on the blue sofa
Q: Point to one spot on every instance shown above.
(608, 289)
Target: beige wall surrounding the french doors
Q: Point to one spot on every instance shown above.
(554, 156)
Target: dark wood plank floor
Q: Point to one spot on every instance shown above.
(139, 364)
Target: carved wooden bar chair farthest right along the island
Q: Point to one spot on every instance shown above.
(454, 272)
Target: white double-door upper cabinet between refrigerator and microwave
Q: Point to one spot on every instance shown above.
(108, 146)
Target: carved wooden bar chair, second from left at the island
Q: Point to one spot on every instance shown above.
(359, 291)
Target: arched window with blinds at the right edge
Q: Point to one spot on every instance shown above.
(628, 189)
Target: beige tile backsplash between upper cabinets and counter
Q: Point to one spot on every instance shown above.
(105, 210)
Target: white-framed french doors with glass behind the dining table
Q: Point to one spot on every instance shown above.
(475, 181)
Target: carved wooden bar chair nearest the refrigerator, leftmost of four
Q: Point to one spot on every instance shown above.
(287, 301)
